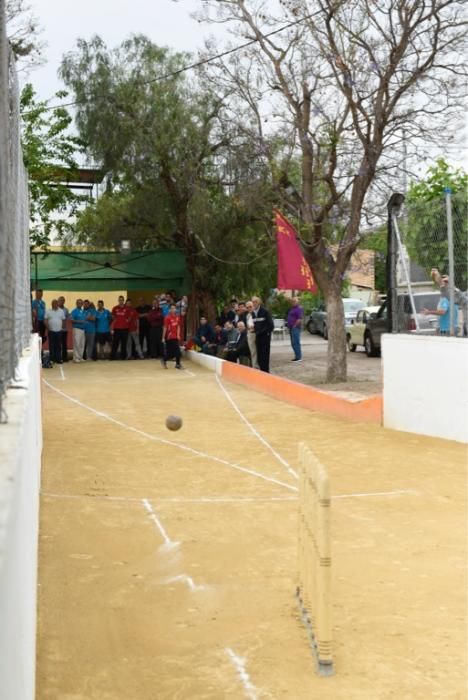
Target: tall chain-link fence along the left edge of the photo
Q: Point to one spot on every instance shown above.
(15, 304)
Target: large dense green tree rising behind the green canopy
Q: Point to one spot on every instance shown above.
(162, 138)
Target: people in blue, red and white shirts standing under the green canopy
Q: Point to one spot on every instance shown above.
(124, 332)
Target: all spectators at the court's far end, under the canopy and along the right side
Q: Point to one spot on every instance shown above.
(242, 331)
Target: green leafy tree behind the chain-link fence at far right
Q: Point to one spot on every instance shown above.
(426, 235)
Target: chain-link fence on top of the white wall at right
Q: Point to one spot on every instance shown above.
(430, 265)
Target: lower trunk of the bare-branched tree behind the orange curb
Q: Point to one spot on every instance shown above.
(336, 351)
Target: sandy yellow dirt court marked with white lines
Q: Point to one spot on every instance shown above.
(168, 559)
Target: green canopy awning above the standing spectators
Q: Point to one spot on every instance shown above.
(102, 271)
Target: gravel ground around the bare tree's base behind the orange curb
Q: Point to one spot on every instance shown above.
(364, 373)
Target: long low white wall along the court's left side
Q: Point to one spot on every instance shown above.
(20, 459)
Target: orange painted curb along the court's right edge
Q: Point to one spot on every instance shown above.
(369, 410)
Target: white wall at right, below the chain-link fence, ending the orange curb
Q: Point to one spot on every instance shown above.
(425, 385)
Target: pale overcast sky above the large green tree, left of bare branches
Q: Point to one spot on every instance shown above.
(165, 22)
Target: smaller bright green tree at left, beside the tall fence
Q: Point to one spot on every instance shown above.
(49, 152)
